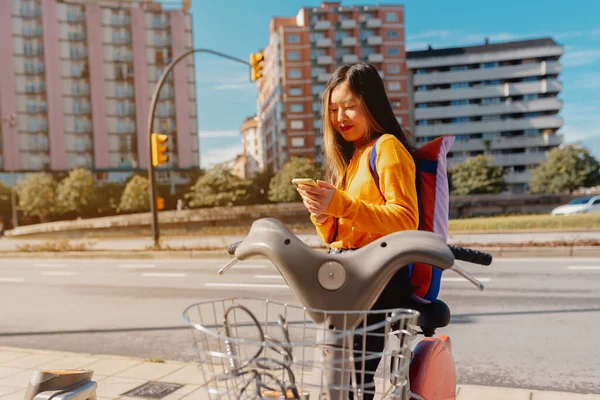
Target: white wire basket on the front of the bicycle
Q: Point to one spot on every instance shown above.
(252, 348)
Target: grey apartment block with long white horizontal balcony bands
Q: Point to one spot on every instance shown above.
(497, 99)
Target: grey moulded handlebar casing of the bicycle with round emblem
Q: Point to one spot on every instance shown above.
(350, 282)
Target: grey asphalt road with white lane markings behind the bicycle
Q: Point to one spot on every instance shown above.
(535, 326)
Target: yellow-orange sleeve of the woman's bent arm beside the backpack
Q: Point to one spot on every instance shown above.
(397, 174)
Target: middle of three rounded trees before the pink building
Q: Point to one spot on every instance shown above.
(77, 192)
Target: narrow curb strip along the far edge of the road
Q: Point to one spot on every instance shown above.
(508, 252)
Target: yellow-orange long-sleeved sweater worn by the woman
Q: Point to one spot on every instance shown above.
(364, 215)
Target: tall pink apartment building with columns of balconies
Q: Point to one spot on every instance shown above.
(76, 81)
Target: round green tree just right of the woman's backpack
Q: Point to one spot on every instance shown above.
(477, 176)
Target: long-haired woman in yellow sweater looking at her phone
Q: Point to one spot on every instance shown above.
(350, 211)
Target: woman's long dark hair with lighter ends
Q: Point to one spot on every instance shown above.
(366, 84)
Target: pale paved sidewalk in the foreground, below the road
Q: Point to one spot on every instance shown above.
(117, 375)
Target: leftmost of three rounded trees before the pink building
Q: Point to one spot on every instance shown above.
(37, 195)
